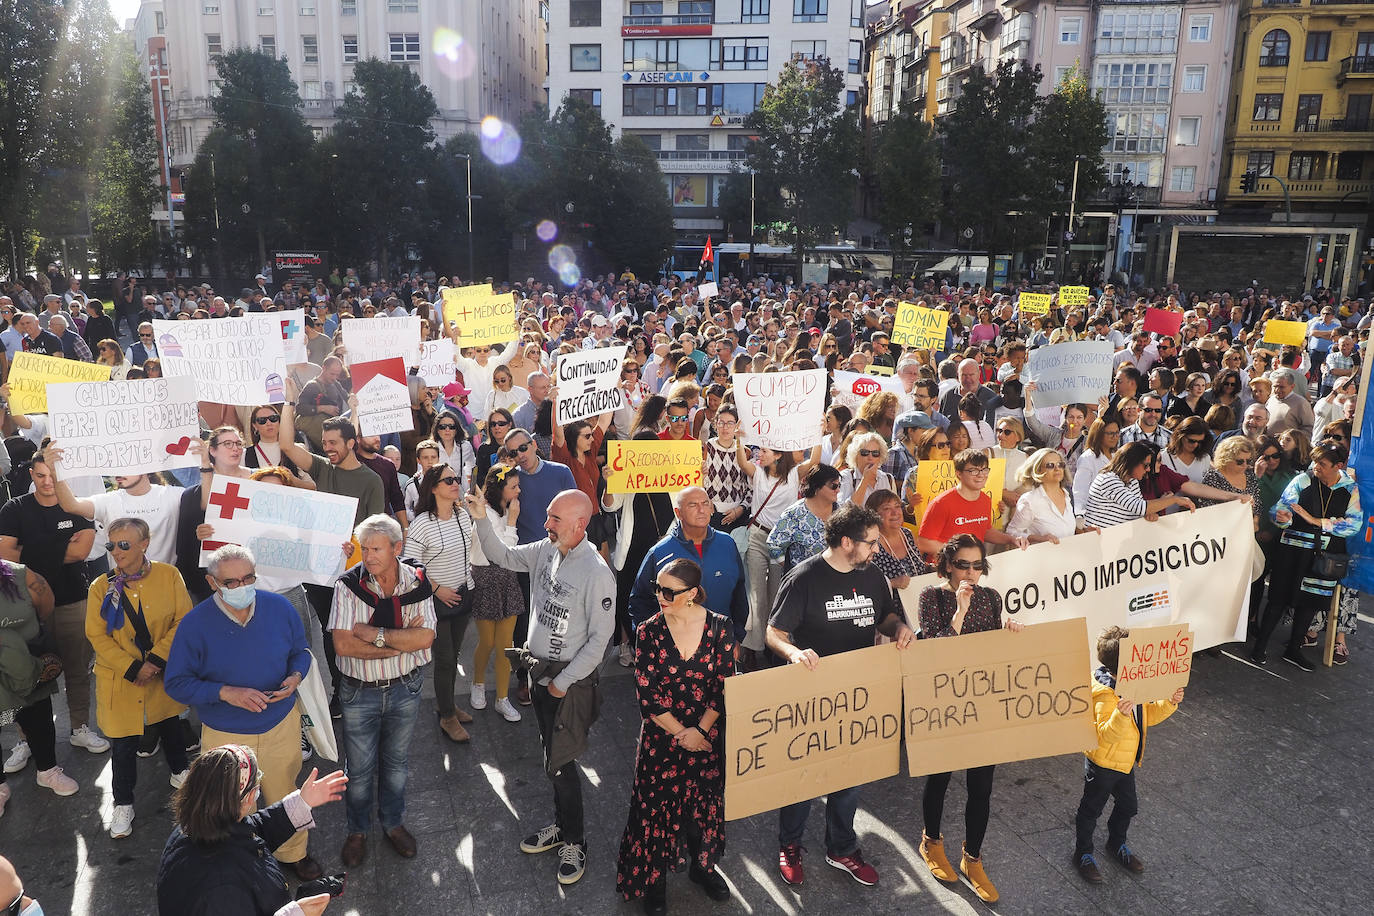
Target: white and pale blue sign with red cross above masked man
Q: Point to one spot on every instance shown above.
(295, 534)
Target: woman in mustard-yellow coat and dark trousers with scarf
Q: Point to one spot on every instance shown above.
(131, 620)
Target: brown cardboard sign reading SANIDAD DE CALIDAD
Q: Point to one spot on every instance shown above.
(793, 734)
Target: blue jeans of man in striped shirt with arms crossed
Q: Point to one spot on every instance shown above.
(377, 738)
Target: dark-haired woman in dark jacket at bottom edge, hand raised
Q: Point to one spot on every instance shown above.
(219, 858)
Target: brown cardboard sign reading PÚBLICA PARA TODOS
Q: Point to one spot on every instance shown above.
(997, 697)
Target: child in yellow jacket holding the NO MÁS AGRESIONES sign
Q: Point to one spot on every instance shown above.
(1110, 770)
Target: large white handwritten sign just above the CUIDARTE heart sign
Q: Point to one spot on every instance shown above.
(233, 360)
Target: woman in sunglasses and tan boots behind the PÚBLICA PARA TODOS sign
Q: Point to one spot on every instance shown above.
(957, 608)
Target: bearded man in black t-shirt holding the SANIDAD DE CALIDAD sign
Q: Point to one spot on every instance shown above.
(829, 605)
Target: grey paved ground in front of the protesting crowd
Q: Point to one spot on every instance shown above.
(1255, 799)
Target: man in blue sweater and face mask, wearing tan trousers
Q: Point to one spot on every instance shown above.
(238, 659)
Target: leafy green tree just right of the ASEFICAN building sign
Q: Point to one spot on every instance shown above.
(807, 148)
